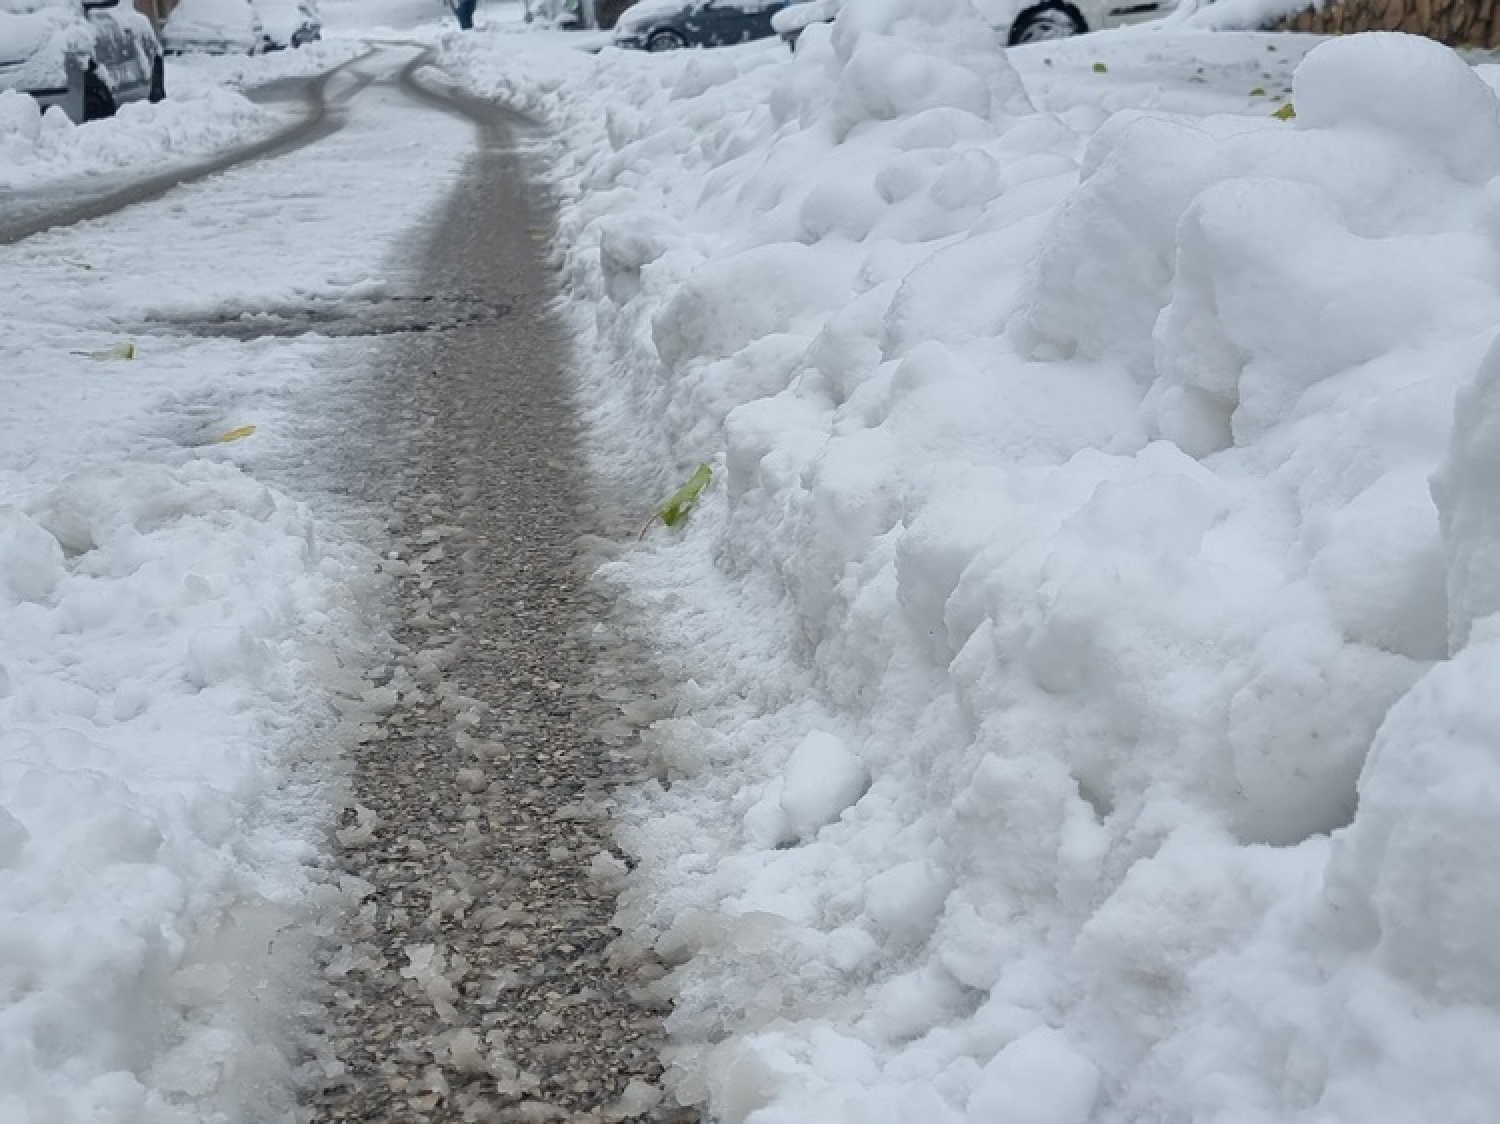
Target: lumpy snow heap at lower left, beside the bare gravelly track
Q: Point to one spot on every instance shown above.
(155, 622)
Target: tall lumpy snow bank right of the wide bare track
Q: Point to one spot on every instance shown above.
(1091, 709)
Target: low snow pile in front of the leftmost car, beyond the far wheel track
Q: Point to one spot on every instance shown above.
(38, 148)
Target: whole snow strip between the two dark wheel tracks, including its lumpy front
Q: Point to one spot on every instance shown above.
(182, 642)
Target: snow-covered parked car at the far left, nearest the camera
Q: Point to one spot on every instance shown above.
(83, 58)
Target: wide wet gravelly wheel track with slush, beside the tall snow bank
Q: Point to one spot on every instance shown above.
(479, 978)
